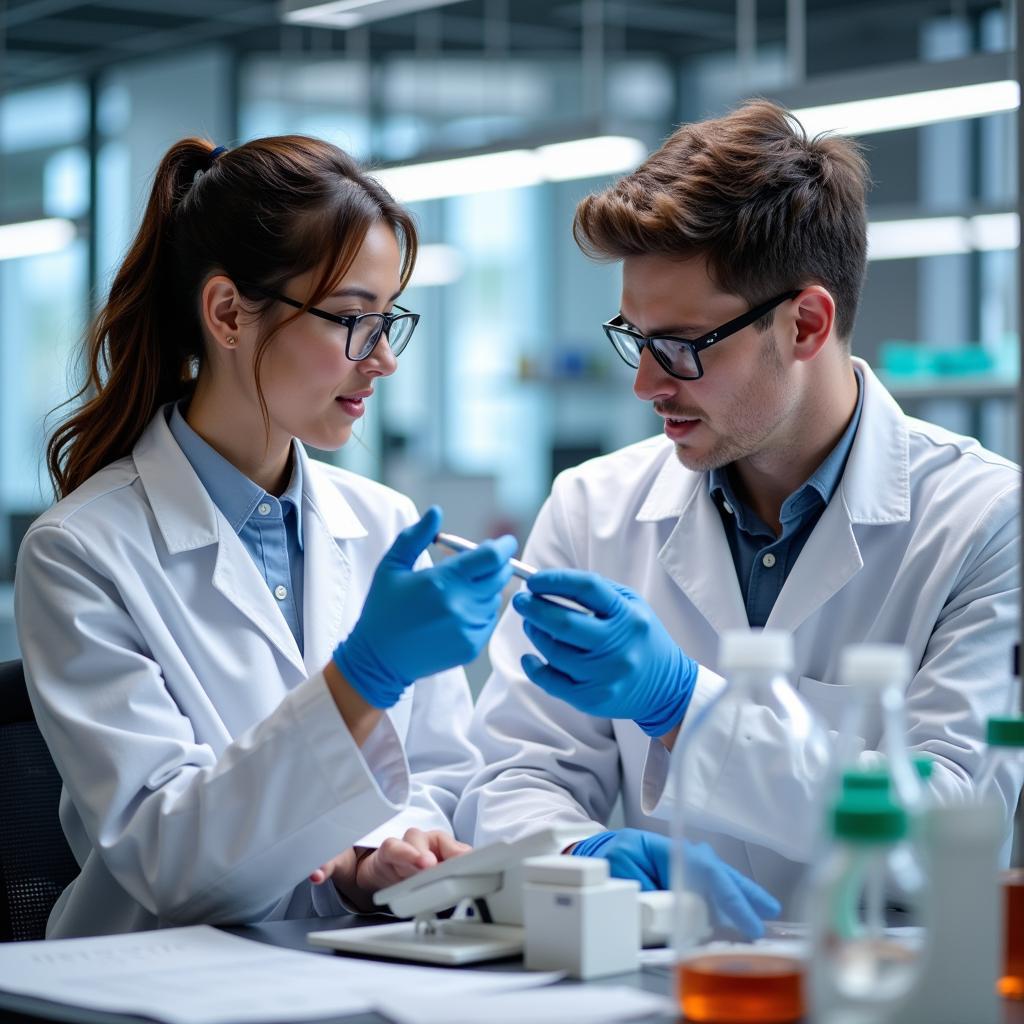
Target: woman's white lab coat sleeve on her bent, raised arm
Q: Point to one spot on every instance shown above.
(191, 836)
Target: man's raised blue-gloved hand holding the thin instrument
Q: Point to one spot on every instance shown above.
(620, 663)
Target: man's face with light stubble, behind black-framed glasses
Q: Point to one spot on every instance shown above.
(742, 405)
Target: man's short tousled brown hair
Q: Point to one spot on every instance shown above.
(769, 208)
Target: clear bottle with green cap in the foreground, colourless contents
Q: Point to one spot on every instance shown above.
(861, 970)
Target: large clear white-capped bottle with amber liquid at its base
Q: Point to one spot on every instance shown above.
(754, 758)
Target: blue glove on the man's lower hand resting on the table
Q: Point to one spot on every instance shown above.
(733, 900)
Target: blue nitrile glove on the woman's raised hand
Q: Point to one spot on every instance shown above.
(416, 623)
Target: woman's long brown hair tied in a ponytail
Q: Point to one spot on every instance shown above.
(262, 215)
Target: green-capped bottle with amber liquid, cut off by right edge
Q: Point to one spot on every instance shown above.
(1004, 763)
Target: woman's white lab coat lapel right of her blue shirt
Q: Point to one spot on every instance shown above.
(327, 519)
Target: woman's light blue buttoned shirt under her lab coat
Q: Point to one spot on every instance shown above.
(270, 529)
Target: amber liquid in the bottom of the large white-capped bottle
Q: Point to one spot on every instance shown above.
(733, 989)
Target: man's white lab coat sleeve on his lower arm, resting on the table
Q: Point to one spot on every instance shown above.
(545, 763)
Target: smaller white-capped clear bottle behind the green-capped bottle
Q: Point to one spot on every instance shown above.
(878, 675)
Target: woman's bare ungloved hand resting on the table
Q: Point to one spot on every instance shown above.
(359, 873)
